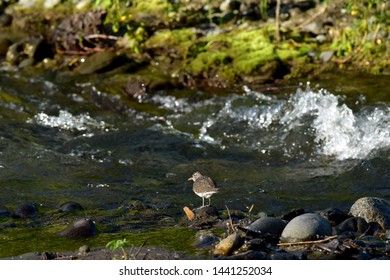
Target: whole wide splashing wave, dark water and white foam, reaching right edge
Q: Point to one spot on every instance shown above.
(307, 124)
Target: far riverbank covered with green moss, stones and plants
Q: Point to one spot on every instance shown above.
(195, 44)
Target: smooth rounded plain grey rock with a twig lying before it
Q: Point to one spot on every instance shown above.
(306, 227)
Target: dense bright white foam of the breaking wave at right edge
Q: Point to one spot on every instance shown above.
(339, 132)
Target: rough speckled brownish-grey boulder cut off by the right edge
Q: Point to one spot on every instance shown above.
(372, 209)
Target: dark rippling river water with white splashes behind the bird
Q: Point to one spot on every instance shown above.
(311, 145)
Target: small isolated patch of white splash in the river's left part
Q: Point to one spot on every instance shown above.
(67, 121)
